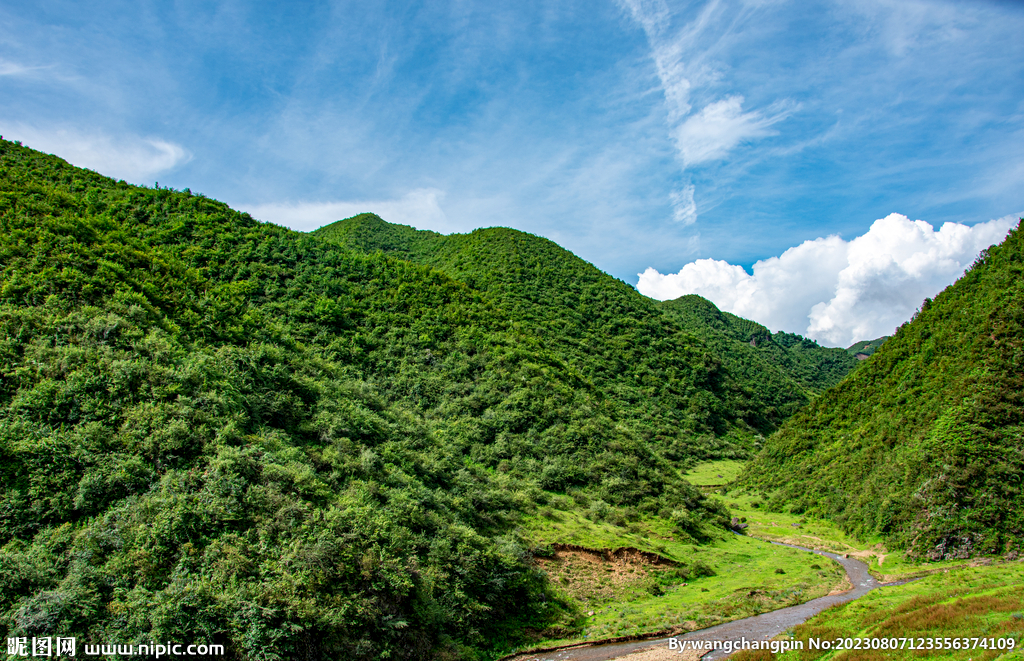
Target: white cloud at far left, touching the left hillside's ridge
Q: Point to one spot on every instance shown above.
(122, 157)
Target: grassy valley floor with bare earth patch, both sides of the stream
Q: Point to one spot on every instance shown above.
(632, 595)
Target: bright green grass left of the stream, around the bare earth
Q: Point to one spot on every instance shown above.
(747, 580)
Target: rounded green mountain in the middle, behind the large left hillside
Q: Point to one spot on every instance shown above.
(656, 384)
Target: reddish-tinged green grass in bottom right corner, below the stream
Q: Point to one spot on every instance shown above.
(977, 602)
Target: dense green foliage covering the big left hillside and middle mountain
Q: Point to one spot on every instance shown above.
(215, 429)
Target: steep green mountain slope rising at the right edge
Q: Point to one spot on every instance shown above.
(924, 445)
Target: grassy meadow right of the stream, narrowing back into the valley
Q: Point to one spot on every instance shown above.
(953, 598)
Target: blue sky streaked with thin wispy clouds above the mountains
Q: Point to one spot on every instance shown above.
(639, 135)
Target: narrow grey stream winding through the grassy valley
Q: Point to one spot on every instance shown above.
(757, 628)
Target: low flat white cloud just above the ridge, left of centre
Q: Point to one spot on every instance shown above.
(419, 208)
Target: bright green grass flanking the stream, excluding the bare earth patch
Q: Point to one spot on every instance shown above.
(957, 601)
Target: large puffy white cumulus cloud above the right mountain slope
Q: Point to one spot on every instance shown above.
(839, 292)
